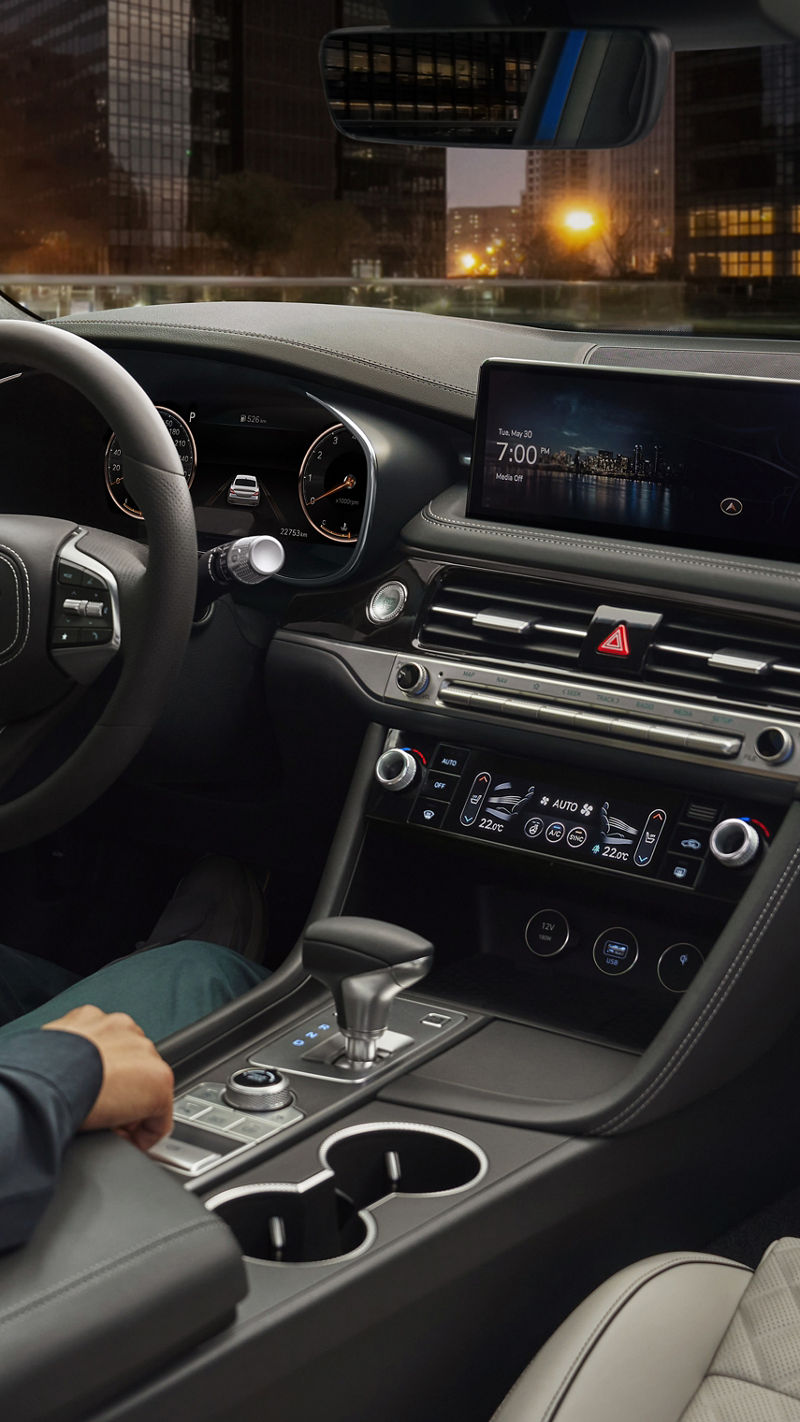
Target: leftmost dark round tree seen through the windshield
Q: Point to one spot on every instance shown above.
(255, 215)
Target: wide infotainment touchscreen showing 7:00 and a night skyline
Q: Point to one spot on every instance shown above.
(703, 461)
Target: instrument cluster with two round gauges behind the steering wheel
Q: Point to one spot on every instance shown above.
(259, 457)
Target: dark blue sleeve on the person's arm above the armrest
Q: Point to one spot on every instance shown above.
(49, 1083)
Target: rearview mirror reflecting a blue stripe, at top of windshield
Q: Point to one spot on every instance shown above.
(497, 89)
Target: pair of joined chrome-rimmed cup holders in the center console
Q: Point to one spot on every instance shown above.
(328, 1217)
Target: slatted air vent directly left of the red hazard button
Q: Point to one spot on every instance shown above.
(514, 621)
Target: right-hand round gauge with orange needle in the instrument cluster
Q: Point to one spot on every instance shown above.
(333, 486)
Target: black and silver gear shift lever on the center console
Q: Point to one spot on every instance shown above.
(364, 963)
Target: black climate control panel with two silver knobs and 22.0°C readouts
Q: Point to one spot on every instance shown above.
(690, 841)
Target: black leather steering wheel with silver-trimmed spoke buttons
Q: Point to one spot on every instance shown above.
(73, 599)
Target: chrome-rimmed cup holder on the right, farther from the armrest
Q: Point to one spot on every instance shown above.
(372, 1162)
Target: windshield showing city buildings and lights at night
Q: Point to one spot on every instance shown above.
(181, 150)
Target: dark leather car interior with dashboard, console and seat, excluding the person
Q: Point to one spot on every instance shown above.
(517, 764)
